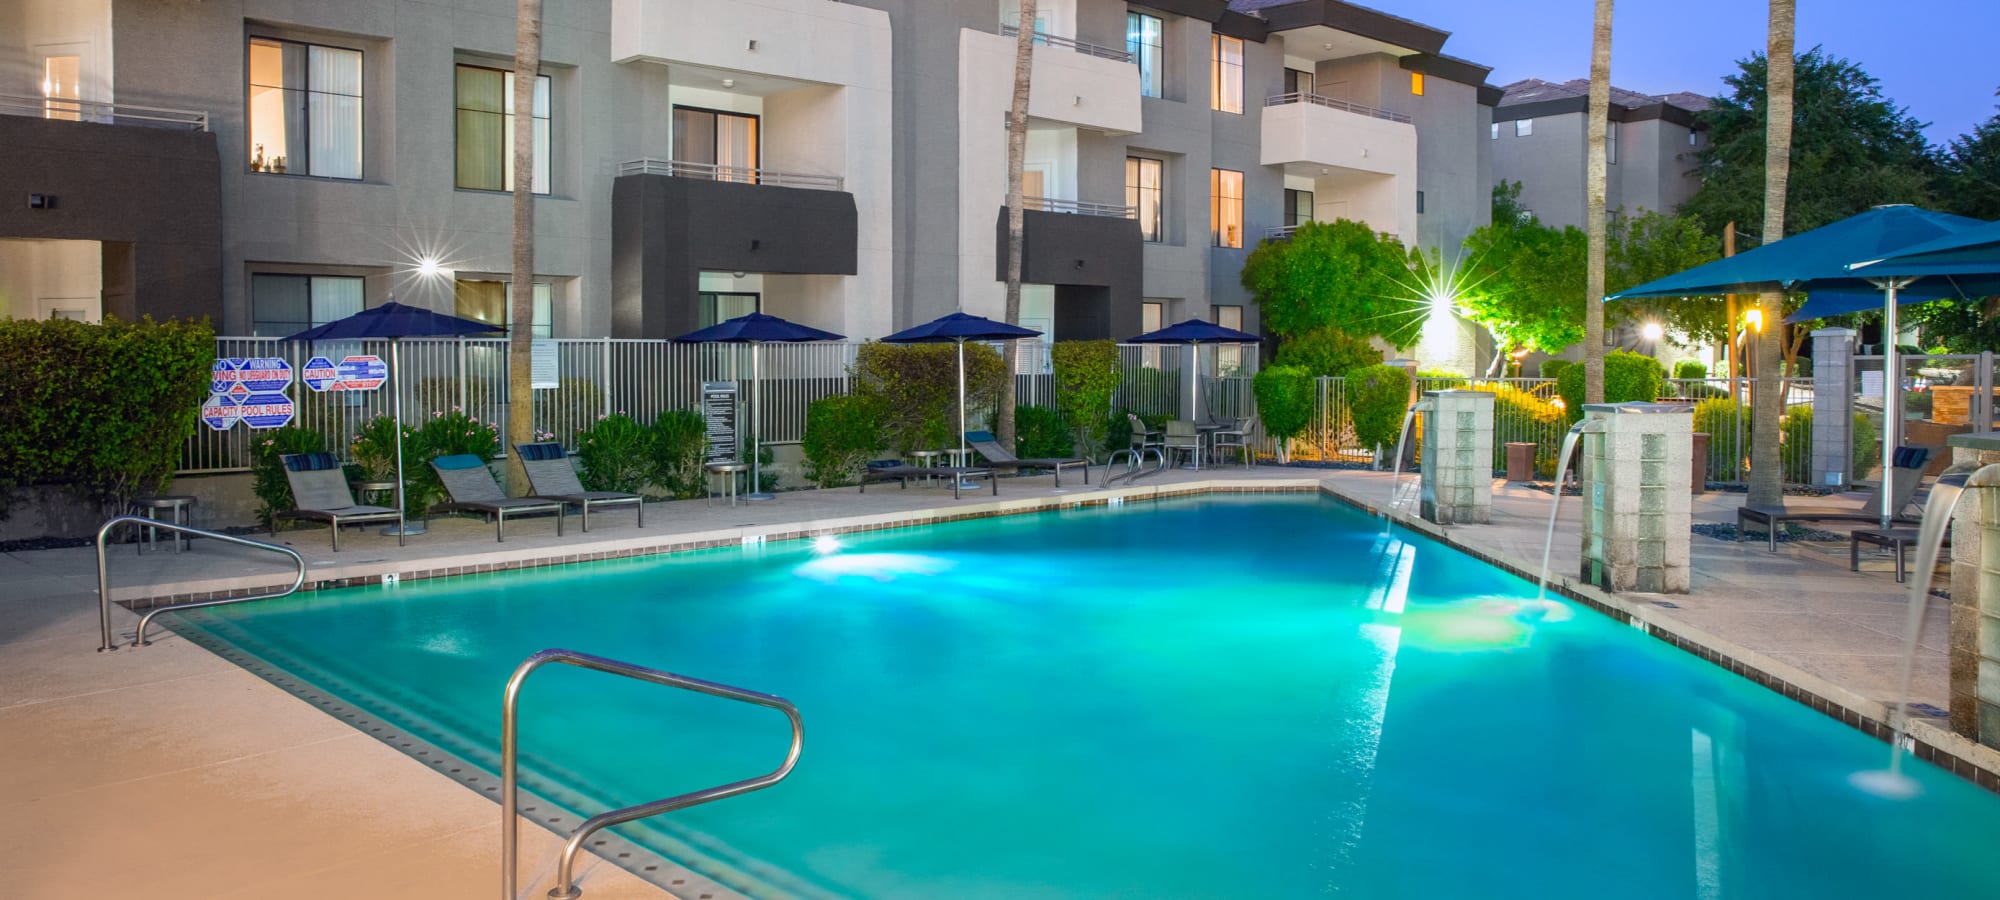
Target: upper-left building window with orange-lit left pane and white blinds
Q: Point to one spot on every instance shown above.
(305, 109)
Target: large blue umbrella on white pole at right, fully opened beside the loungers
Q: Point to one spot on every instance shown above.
(1817, 263)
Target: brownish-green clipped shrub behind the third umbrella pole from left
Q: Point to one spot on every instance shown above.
(917, 389)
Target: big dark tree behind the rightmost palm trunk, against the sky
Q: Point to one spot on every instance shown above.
(1855, 147)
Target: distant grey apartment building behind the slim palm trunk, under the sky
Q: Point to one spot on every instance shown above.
(1541, 141)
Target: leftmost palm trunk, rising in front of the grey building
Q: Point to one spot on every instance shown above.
(521, 305)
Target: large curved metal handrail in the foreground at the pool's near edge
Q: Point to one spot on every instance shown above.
(511, 763)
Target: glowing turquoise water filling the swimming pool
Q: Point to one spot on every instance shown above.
(1199, 699)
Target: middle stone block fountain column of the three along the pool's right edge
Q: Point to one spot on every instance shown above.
(1637, 509)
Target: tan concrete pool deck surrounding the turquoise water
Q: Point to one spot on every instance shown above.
(173, 773)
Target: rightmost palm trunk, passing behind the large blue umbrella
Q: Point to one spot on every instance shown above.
(1767, 477)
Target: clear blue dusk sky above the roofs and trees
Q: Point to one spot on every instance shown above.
(1941, 59)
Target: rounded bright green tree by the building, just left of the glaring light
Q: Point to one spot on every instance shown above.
(1337, 275)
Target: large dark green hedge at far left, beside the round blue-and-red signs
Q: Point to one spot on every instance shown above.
(103, 409)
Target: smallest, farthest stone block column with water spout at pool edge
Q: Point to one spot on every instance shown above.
(1459, 457)
